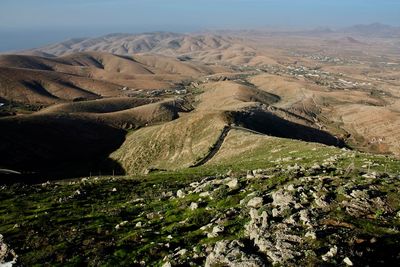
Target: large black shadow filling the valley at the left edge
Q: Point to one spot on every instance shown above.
(50, 147)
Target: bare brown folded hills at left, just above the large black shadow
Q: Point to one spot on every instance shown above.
(90, 75)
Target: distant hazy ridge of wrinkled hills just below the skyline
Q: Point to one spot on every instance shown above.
(207, 48)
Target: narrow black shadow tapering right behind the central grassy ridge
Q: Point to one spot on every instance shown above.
(270, 124)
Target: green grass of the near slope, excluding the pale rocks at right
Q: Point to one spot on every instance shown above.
(72, 223)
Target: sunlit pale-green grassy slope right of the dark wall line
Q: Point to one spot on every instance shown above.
(242, 150)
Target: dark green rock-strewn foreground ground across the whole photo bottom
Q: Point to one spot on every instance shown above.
(288, 215)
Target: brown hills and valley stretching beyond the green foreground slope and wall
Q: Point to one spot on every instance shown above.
(129, 103)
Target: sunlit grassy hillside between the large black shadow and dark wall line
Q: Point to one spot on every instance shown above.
(172, 145)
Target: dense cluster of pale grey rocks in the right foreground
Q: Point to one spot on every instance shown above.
(309, 219)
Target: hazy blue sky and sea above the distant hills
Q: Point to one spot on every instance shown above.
(32, 23)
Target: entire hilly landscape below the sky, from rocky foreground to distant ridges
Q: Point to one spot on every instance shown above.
(201, 149)
